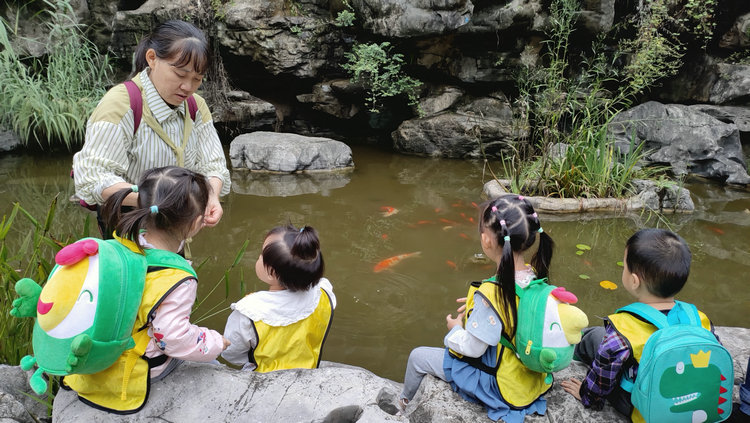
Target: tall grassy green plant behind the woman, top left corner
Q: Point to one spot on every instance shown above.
(49, 101)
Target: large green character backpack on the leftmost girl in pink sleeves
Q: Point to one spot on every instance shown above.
(87, 308)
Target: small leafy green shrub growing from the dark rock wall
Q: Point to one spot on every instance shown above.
(379, 71)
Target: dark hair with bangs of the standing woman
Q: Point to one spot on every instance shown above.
(178, 40)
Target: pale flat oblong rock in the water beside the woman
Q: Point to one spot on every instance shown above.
(280, 152)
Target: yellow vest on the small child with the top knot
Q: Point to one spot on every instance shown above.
(293, 346)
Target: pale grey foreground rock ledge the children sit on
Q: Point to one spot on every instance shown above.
(338, 393)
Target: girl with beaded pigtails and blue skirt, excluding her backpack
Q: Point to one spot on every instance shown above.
(475, 361)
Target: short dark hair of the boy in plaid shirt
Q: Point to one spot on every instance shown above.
(661, 259)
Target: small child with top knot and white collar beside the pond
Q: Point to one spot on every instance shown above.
(286, 326)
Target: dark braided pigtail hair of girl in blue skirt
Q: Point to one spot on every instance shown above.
(514, 216)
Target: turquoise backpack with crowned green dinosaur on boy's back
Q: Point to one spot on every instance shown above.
(685, 374)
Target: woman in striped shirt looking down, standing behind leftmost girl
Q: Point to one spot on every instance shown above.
(170, 64)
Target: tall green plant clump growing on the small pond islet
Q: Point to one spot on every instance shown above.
(573, 153)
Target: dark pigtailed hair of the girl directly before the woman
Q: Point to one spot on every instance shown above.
(178, 194)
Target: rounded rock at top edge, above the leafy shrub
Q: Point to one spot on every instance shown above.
(413, 18)
